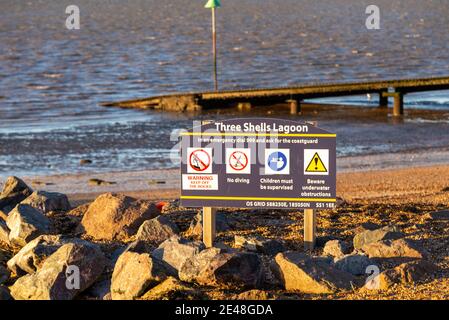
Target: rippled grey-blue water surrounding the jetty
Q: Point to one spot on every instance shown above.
(52, 79)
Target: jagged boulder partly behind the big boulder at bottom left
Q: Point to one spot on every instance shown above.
(31, 257)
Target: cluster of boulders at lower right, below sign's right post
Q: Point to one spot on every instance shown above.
(384, 250)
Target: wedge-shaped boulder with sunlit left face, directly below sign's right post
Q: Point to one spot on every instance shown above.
(302, 273)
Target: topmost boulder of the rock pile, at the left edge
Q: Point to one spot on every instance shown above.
(14, 191)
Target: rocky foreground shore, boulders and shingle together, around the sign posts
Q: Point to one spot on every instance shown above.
(124, 248)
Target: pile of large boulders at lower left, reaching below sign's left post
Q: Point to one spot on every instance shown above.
(158, 261)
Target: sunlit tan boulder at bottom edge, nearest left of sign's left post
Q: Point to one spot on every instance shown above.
(134, 273)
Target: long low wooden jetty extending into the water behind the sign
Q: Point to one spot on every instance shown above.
(293, 96)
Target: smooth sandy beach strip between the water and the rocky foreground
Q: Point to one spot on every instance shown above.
(404, 184)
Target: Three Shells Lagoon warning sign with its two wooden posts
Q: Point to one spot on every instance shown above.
(258, 163)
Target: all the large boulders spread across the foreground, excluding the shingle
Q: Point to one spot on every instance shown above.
(128, 249)
